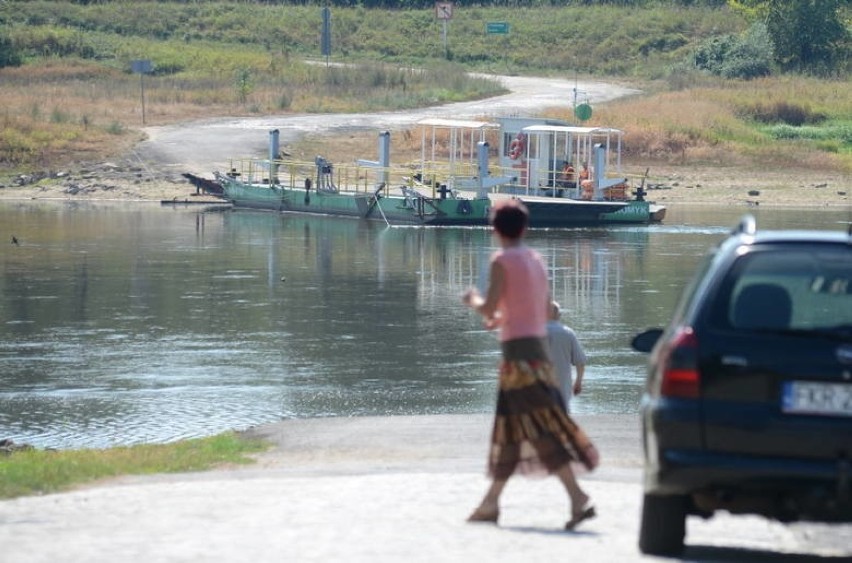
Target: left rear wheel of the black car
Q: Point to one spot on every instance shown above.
(663, 525)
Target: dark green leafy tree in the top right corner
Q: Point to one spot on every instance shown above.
(808, 35)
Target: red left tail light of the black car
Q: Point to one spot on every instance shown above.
(679, 366)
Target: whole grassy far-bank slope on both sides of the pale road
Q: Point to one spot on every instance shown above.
(75, 99)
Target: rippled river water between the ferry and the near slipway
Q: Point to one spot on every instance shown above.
(127, 323)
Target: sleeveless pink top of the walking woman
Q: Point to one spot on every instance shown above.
(523, 305)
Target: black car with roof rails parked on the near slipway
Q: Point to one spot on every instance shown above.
(747, 405)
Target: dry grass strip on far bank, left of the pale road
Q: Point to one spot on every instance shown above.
(58, 112)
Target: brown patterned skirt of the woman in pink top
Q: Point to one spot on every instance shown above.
(533, 435)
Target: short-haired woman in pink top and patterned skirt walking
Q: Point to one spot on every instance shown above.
(532, 432)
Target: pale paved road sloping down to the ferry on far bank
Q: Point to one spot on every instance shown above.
(202, 146)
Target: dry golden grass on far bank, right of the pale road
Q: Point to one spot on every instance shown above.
(710, 125)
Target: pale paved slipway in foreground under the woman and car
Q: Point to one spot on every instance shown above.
(379, 490)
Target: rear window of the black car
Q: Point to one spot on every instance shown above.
(800, 288)
